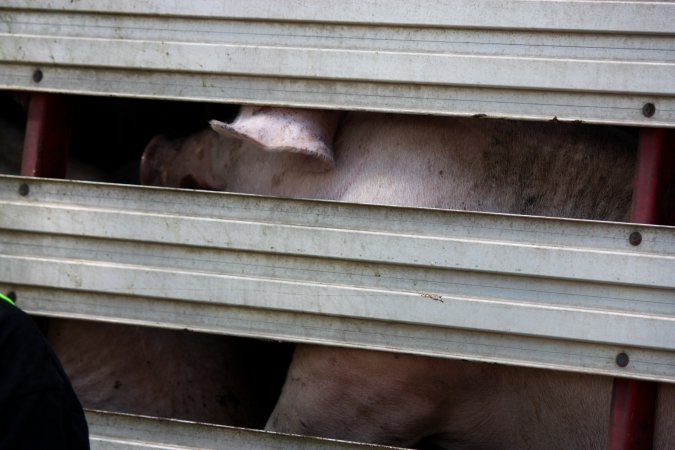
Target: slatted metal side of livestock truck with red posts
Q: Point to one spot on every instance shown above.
(98, 252)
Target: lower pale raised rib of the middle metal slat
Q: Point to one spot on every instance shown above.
(420, 308)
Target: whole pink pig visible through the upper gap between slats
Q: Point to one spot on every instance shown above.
(425, 161)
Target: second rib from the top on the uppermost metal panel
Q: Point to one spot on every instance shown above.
(447, 40)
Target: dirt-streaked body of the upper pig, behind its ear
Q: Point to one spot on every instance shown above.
(550, 169)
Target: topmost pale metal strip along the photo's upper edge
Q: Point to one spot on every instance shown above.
(617, 16)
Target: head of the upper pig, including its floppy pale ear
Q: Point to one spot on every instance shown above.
(213, 161)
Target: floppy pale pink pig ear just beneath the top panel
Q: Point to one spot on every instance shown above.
(305, 131)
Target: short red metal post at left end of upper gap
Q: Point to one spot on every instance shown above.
(45, 149)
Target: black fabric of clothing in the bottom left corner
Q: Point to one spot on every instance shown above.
(38, 407)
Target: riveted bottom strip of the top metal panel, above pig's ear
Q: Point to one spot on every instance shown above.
(440, 100)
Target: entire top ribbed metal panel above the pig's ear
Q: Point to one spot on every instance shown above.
(520, 59)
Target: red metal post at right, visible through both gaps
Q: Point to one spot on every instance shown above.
(634, 401)
